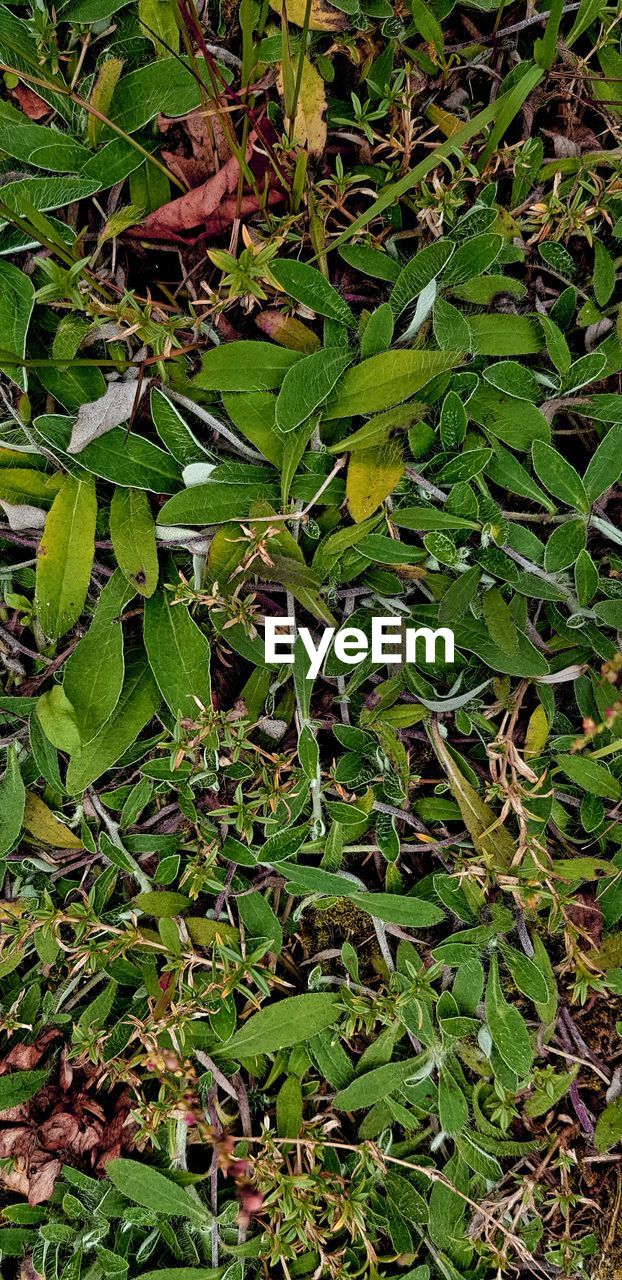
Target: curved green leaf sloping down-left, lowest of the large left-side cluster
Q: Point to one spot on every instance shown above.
(139, 702)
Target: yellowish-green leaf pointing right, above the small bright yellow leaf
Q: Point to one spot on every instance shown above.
(387, 380)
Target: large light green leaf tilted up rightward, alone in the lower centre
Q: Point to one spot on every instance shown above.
(282, 1025)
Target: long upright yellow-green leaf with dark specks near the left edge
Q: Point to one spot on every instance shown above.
(66, 556)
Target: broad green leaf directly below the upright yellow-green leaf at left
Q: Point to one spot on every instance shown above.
(94, 673)
